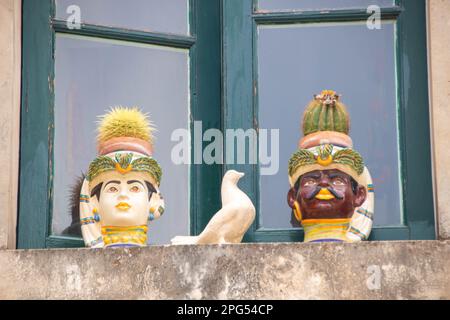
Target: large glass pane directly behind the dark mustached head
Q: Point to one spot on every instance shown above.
(354, 61)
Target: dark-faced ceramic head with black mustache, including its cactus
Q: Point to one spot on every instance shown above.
(328, 179)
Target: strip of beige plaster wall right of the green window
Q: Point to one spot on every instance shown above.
(439, 73)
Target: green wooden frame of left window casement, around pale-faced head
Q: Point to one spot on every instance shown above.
(37, 118)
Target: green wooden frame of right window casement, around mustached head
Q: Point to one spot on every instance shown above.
(241, 108)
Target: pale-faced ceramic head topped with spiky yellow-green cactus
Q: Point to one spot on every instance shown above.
(121, 190)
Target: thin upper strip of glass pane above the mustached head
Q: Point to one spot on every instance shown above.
(277, 5)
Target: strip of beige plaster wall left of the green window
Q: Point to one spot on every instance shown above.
(10, 43)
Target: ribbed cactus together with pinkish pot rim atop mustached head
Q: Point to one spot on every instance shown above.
(325, 121)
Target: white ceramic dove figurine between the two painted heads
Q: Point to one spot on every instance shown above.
(231, 222)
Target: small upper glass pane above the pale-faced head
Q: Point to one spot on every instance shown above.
(148, 15)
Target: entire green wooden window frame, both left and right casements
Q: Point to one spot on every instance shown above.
(223, 95)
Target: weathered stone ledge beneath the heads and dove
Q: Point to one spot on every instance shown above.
(376, 270)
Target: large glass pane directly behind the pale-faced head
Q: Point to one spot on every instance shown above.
(92, 75)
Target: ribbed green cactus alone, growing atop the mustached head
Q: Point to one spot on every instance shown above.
(326, 113)
